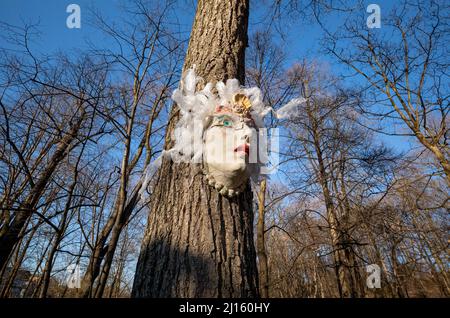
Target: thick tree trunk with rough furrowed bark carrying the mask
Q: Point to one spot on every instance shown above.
(199, 243)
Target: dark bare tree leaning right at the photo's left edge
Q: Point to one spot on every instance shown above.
(62, 103)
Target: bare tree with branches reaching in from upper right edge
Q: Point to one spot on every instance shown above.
(405, 66)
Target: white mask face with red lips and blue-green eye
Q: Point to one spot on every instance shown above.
(226, 152)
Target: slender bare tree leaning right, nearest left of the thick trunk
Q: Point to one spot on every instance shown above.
(147, 55)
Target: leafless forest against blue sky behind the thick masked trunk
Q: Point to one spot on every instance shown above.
(77, 132)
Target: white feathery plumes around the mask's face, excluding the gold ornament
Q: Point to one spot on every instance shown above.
(195, 107)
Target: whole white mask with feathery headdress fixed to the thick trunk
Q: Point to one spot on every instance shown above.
(220, 131)
